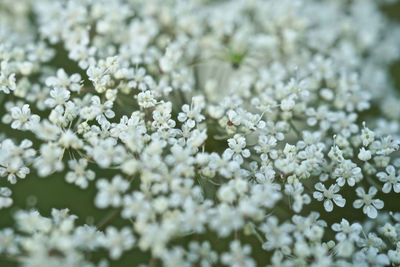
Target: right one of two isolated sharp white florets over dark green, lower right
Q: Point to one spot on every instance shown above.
(366, 201)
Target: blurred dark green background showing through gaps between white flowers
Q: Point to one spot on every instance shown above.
(53, 192)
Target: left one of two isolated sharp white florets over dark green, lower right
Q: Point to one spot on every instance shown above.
(329, 195)
